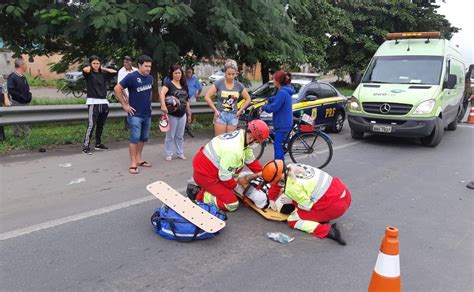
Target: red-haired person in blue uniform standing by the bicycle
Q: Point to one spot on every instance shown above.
(281, 107)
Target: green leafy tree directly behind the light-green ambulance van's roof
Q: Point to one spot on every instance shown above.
(350, 52)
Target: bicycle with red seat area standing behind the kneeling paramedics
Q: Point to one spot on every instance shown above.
(304, 144)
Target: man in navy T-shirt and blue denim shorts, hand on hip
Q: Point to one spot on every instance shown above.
(138, 108)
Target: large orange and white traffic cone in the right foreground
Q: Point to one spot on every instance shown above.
(386, 275)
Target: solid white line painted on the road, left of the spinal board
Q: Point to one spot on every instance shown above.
(77, 217)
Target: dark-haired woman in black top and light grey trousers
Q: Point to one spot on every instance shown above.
(175, 86)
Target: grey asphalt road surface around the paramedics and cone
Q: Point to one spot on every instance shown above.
(96, 235)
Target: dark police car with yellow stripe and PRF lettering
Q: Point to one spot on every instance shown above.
(318, 99)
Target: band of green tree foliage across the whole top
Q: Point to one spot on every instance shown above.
(328, 34)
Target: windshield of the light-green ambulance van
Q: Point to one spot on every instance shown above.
(405, 70)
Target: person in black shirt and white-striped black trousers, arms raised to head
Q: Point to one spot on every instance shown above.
(97, 102)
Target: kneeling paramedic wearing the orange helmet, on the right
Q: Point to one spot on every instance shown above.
(317, 196)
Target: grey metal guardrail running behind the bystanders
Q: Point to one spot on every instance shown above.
(32, 114)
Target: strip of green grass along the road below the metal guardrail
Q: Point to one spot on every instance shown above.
(51, 134)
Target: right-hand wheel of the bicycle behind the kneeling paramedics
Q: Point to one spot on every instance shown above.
(314, 149)
